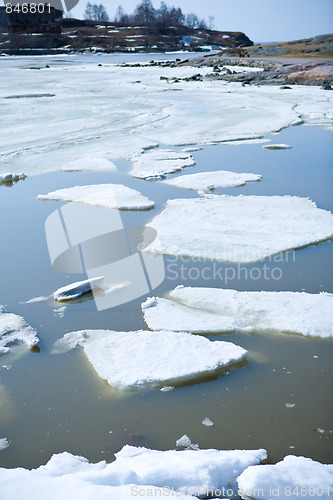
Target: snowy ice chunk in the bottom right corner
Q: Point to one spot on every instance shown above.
(294, 477)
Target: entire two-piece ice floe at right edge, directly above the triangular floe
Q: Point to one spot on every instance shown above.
(307, 314)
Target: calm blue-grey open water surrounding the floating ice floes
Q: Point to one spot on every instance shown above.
(50, 404)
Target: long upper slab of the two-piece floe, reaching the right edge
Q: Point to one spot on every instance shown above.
(286, 312)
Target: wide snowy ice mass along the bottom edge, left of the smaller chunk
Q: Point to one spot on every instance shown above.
(135, 472)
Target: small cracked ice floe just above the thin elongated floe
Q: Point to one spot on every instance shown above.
(157, 163)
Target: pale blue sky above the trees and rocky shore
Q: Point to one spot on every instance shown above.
(260, 20)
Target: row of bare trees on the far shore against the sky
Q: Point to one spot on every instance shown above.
(146, 15)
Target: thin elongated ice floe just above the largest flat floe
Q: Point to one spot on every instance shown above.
(205, 181)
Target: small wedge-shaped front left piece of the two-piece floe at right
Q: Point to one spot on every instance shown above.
(164, 314)
